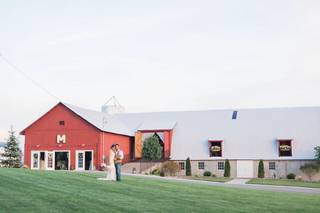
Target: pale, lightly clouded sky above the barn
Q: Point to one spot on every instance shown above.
(157, 55)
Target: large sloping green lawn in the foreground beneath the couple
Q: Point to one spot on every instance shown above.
(41, 191)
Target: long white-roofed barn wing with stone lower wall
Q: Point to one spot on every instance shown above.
(283, 137)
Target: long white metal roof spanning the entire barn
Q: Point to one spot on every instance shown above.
(253, 135)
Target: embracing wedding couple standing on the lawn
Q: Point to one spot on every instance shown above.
(115, 159)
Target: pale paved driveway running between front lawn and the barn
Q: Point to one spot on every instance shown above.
(238, 183)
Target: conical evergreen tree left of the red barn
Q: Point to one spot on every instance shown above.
(12, 152)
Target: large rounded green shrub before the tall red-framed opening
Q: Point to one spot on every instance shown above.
(152, 150)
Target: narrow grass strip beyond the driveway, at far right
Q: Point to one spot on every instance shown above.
(285, 182)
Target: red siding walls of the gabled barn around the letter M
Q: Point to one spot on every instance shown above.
(80, 135)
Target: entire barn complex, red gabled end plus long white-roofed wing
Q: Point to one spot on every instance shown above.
(284, 138)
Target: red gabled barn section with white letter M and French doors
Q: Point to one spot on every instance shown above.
(69, 137)
